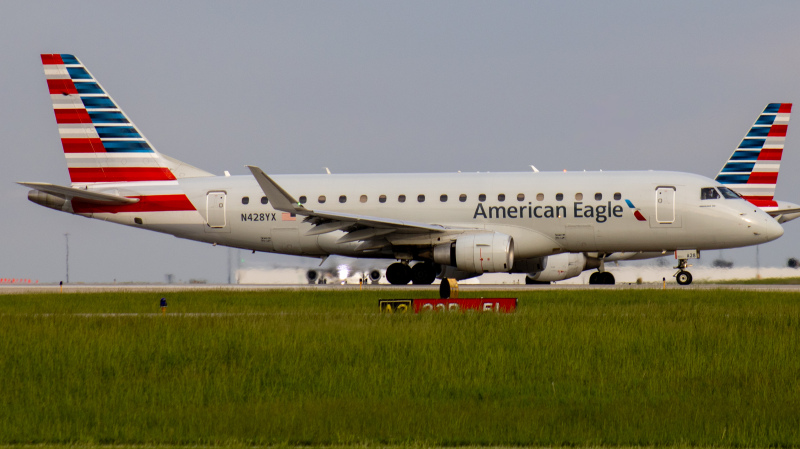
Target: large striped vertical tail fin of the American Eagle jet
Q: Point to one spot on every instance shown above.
(100, 142)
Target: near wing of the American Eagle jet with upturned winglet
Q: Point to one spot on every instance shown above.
(359, 227)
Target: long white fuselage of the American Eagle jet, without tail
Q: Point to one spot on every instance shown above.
(545, 213)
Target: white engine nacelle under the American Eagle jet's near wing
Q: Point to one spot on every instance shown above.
(478, 253)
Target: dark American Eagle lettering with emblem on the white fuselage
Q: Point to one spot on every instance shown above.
(600, 214)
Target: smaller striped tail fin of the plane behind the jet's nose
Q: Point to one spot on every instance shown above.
(752, 170)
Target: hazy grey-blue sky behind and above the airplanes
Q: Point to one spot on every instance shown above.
(386, 87)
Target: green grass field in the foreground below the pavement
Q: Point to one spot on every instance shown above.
(621, 368)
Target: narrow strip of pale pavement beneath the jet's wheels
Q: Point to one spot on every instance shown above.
(93, 288)
